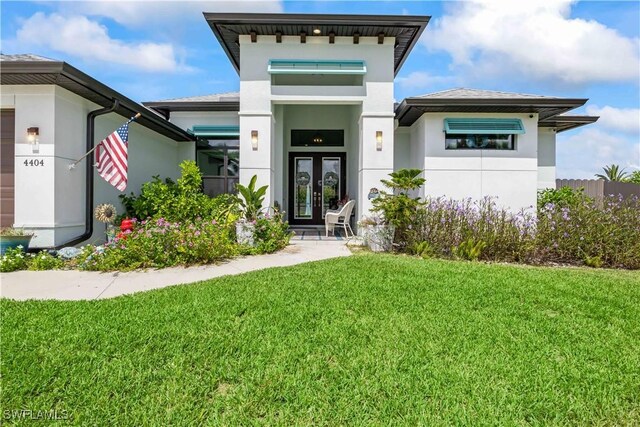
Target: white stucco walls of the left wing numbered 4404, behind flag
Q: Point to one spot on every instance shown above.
(50, 199)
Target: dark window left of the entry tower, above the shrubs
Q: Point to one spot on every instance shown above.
(218, 161)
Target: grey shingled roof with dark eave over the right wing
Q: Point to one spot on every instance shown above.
(463, 100)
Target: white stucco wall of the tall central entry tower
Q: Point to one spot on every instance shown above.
(373, 100)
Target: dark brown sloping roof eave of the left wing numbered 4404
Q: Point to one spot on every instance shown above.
(64, 75)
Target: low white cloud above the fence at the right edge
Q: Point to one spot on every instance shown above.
(584, 153)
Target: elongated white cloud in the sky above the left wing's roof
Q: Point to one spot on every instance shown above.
(86, 39)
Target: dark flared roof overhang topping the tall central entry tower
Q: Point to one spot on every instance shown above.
(227, 27)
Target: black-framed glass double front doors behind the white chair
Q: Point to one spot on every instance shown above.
(317, 183)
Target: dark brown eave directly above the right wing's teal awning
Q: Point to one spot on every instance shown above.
(410, 109)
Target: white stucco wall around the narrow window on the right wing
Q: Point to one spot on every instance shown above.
(511, 176)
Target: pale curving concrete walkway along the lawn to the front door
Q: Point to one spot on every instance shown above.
(88, 285)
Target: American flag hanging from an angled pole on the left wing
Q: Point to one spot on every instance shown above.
(111, 157)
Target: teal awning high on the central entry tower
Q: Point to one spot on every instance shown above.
(304, 66)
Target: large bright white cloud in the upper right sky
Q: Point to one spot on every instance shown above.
(536, 39)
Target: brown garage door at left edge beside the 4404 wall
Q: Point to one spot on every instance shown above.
(7, 167)
